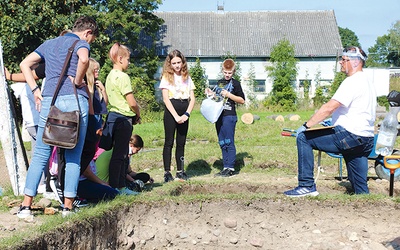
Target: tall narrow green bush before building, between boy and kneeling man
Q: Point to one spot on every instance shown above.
(283, 72)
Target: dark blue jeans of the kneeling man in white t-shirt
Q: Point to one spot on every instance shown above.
(355, 150)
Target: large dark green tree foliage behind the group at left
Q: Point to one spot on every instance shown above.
(26, 24)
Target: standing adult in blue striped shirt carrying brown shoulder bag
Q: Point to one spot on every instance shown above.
(53, 52)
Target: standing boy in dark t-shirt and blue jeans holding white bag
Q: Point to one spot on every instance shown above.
(226, 124)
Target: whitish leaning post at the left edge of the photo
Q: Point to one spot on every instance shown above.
(11, 137)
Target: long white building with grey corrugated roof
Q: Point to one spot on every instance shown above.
(250, 36)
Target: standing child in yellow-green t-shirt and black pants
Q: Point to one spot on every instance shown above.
(123, 113)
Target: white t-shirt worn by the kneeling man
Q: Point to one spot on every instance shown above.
(357, 97)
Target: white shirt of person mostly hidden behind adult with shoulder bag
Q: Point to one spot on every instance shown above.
(29, 113)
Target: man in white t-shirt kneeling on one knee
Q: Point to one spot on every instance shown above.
(353, 115)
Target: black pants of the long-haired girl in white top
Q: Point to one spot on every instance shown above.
(170, 126)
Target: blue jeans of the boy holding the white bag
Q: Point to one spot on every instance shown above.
(226, 126)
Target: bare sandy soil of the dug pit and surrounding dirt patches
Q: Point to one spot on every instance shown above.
(277, 223)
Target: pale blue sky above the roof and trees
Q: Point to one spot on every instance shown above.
(369, 19)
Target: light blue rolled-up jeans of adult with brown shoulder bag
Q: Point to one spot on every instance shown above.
(42, 151)
